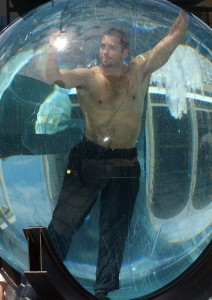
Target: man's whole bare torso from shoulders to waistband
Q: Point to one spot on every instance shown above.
(113, 106)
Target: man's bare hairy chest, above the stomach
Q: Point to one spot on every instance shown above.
(111, 95)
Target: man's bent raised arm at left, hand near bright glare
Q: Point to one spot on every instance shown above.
(64, 78)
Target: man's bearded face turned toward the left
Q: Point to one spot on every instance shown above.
(111, 52)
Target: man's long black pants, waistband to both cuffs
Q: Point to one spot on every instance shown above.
(93, 169)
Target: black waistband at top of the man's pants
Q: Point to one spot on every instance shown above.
(94, 150)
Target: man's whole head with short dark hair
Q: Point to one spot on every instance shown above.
(114, 48)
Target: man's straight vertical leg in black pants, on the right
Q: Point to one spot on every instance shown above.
(117, 204)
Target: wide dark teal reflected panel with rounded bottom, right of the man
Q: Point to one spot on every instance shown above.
(172, 163)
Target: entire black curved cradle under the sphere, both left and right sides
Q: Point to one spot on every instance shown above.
(51, 280)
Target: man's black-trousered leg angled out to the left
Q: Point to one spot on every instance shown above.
(76, 200)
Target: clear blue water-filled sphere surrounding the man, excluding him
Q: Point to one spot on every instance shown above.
(40, 123)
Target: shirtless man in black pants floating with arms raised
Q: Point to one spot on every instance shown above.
(111, 97)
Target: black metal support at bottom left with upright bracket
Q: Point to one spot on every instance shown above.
(48, 275)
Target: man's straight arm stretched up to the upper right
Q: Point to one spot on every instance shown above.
(159, 55)
